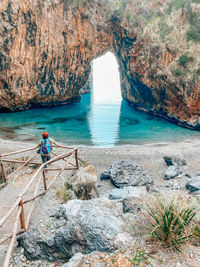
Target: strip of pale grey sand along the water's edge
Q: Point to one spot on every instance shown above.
(150, 156)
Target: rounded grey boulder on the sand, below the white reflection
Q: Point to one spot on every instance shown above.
(126, 173)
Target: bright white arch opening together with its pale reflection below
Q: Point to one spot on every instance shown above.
(106, 100)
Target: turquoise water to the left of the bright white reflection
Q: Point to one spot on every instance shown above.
(67, 123)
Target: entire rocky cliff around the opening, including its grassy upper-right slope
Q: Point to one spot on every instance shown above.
(46, 48)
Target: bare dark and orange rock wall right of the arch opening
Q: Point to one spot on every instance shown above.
(147, 84)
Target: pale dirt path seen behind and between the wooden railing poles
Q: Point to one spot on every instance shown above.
(9, 194)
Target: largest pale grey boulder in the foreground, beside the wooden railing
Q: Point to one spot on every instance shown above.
(87, 225)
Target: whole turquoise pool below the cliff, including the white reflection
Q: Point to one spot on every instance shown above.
(91, 124)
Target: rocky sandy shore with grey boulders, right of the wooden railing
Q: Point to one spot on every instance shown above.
(102, 231)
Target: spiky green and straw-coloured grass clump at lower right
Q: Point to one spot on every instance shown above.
(170, 222)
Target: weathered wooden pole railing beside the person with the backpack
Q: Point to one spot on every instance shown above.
(18, 206)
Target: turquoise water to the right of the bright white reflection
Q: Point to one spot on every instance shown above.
(136, 127)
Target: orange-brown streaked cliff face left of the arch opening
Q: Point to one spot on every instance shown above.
(45, 51)
